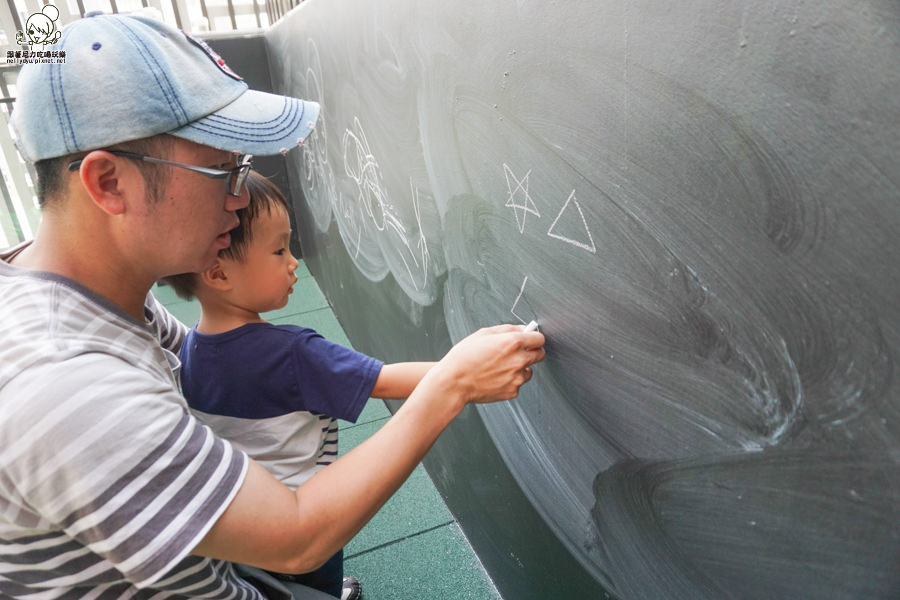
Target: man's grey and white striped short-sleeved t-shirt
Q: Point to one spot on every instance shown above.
(106, 480)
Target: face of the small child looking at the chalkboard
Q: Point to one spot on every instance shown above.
(263, 280)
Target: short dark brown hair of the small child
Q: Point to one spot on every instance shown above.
(264, 196)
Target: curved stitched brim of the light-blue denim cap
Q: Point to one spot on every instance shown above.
(255, 123)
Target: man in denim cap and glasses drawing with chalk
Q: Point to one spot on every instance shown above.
(109, 488)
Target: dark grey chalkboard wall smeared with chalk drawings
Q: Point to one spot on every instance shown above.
(700, 204)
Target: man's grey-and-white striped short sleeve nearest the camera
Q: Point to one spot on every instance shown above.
(109, 454)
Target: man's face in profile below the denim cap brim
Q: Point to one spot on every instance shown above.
(189, 223)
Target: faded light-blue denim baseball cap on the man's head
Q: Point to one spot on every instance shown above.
(131, 77)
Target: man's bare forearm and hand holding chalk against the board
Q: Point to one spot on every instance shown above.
(268, 526)
